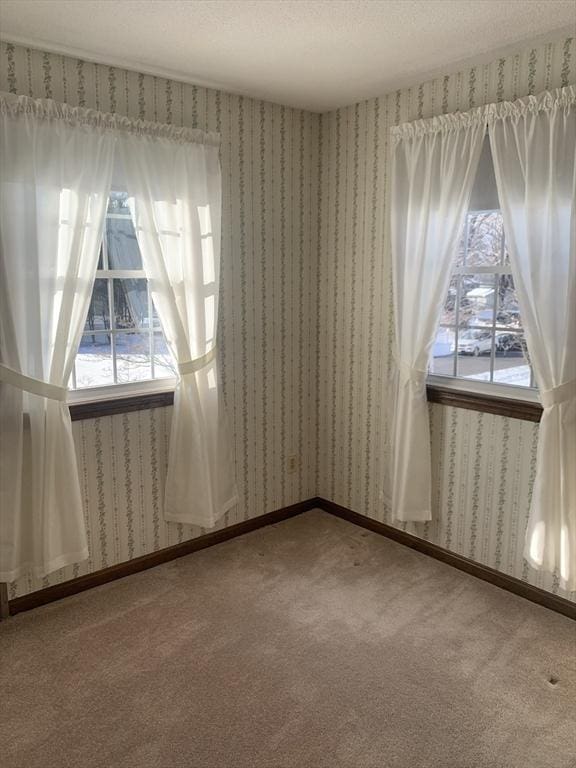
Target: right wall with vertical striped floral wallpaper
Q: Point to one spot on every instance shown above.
(483, 465)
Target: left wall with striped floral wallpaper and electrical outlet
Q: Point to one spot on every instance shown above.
(266, 344)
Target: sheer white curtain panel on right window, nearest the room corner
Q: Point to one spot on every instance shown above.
(433, 167)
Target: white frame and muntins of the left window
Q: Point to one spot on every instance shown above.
(127, 389)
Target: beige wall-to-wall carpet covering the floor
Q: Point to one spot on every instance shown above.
(308, 644)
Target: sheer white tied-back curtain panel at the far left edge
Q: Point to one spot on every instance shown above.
(55, 177)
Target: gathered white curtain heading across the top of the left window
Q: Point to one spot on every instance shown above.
(14, 105)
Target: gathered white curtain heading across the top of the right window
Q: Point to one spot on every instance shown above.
(560, 98)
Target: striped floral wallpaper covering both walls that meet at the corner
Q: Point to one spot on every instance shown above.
(306, 318)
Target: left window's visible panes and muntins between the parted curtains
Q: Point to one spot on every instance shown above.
(123, 342)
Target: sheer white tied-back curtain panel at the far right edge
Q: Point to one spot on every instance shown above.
(534, 148)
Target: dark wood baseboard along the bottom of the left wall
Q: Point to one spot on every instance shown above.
(72, 587)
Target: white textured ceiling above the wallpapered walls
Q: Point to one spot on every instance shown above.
(315, 54)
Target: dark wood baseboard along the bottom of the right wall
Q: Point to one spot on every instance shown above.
(499, 579)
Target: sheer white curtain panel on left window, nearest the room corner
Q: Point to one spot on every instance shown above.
(176, 189)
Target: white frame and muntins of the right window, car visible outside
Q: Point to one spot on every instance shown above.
(476, 386)
